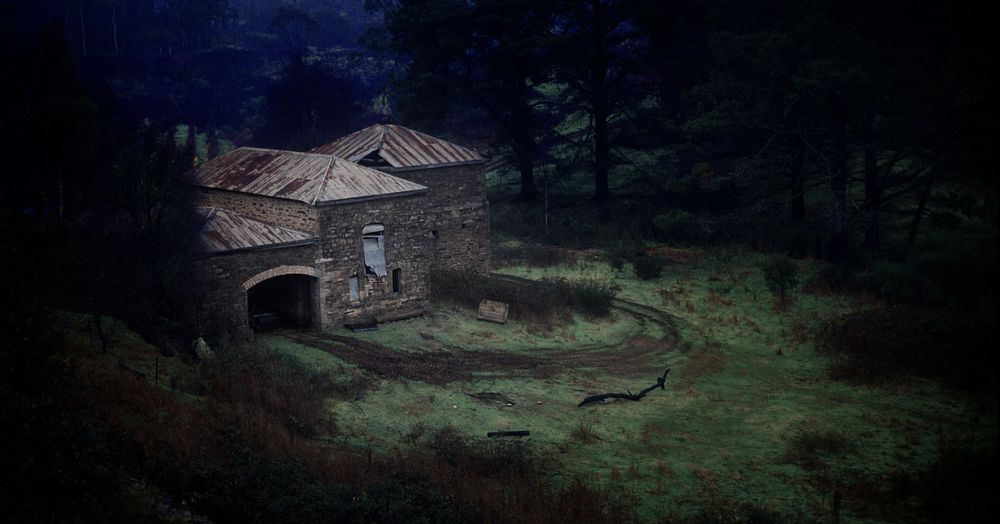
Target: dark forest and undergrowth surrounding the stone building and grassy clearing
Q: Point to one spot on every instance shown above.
(858, 135)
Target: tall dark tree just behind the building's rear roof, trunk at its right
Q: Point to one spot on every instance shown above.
(487, 56)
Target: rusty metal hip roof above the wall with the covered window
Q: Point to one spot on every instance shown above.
(306, 177)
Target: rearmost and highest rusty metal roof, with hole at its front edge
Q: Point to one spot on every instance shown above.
(400, 147)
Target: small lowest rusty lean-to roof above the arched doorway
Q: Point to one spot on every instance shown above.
(224, 230)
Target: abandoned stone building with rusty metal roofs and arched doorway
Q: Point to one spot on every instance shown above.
(315, 239)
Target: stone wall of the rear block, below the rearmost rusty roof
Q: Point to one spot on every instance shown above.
(459, 215)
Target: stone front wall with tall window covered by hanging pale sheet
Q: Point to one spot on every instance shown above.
(408, 248)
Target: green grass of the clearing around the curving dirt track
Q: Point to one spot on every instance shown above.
(746, 394)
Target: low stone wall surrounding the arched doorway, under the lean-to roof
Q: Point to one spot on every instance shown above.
(224, 297)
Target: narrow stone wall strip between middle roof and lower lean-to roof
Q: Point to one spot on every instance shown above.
(278, 211)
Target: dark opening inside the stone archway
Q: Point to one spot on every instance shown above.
(284, 301)
